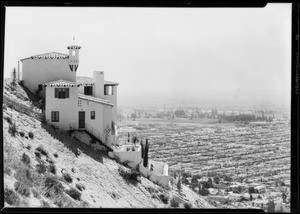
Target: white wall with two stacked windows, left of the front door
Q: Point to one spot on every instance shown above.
(67, 113)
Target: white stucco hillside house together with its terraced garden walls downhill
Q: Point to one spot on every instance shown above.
(84, 106)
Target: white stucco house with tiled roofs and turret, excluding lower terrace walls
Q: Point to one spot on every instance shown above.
(71, 102)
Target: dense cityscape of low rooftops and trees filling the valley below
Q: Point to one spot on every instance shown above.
(234, 158)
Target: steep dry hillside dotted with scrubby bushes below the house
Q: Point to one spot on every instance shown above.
(46, 168)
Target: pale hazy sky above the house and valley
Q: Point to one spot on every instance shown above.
(165, 54)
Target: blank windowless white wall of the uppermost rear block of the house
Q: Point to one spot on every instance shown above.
(39, 71)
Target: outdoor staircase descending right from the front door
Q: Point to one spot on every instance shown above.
(93, 133)
